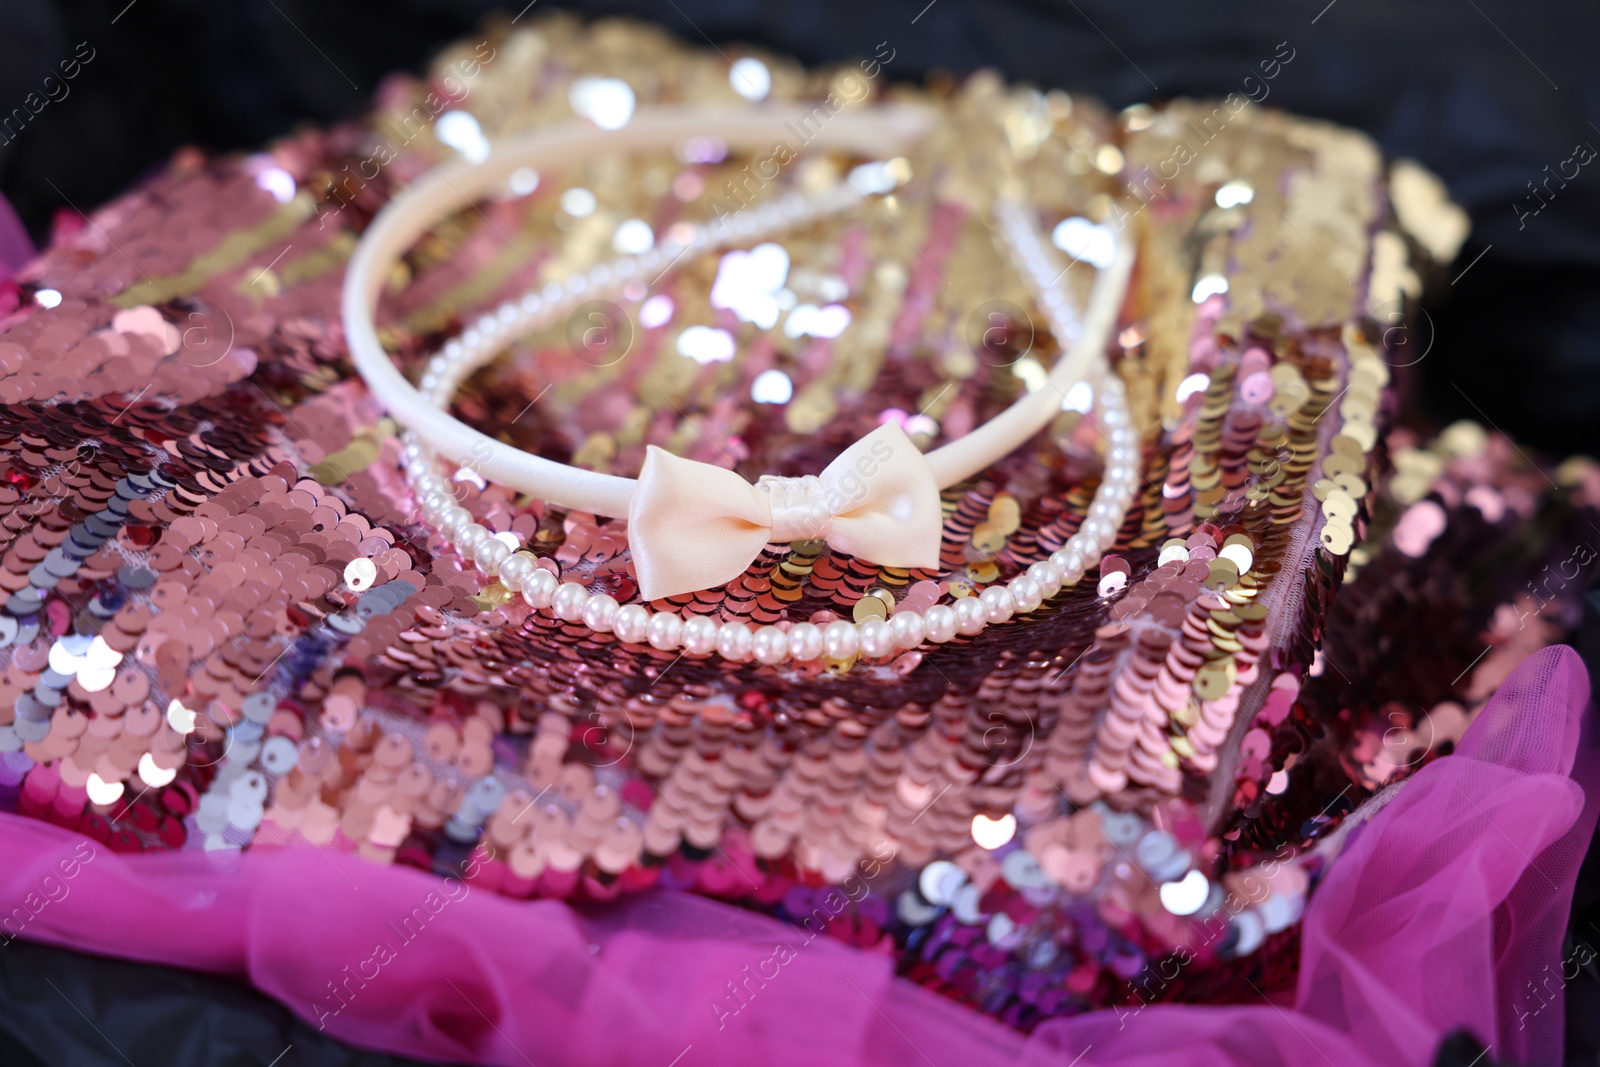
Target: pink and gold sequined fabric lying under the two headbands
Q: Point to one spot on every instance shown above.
(225, 626)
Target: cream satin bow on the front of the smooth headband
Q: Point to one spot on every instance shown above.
(694, 527)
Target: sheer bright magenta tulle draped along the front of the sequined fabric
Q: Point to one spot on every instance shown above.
(1444, 906)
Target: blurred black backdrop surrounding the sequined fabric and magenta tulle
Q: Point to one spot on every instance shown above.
(1487, 94)
